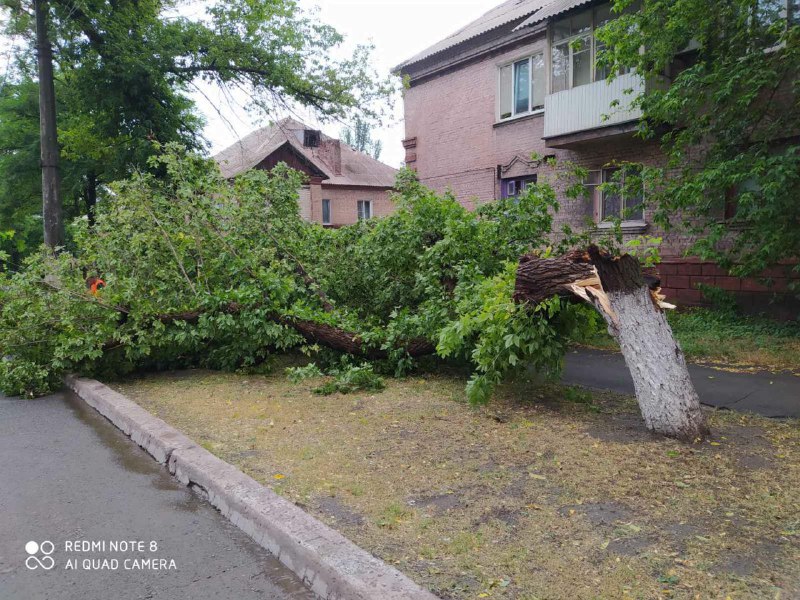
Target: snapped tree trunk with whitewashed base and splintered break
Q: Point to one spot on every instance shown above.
(633, 312)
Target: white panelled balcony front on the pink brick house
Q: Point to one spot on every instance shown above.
(584, 113)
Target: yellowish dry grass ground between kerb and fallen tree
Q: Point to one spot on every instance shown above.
(548, 492)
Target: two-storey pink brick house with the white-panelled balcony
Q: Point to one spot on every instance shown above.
(520, 80)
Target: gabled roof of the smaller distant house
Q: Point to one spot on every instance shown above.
(357, 168)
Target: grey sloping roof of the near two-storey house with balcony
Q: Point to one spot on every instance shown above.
(506, 13)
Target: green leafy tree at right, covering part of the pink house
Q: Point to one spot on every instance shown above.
(728, 122)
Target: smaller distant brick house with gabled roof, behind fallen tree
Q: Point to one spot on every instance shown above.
(343, 186)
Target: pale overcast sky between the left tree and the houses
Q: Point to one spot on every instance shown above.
(398, 29)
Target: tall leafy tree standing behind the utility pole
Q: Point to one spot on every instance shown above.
(125, 72)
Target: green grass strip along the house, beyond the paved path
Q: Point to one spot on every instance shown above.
(728, 339)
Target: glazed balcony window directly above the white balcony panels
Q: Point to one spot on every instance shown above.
(574, 49)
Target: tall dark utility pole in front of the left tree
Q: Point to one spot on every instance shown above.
(52, 210)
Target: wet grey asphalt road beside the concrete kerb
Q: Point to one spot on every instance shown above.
(67, 475)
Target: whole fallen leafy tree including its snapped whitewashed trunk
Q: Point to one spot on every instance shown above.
(202, 272)
